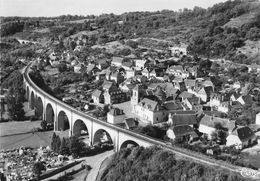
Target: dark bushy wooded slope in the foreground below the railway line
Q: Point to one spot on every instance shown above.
(156, 164)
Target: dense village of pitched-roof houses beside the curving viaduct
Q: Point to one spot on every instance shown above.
(197, 98)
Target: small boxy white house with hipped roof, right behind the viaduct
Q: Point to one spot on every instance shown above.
(115, 116)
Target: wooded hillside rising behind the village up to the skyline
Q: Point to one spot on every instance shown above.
(205, 30)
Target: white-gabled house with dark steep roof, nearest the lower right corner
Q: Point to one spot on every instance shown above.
(241, 137)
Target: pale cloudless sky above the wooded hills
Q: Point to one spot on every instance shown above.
(50, 8)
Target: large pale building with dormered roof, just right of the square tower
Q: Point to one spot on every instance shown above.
(150, 110)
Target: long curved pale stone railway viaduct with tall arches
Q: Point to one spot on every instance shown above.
(64, 116)
